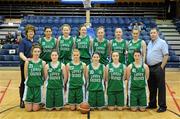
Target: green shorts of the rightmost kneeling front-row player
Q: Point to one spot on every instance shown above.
(137, 98)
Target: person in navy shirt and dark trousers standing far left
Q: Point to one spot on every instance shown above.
(25, 53)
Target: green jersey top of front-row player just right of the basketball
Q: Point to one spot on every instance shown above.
(95, 81)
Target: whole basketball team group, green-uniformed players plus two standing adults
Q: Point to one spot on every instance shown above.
(115, 74)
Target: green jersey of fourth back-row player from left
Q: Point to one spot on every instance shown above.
(102, 49)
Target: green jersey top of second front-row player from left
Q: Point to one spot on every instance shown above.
(55, 76)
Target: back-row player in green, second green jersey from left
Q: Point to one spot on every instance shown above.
(65, 44)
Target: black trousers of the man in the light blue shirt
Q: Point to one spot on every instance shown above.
(156, 84)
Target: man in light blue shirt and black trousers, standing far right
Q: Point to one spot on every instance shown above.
(157, 56)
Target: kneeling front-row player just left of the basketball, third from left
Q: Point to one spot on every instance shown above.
(76, 81)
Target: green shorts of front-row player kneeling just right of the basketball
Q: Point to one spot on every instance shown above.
(96, 99)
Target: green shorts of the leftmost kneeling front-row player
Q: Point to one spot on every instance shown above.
(33, 94)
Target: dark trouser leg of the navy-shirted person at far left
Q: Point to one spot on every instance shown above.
(22, 85)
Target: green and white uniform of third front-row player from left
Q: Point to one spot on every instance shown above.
(76, 82)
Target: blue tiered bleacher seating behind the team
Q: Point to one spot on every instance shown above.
(9, 52)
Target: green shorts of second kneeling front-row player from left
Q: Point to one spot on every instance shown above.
(54, 98)
